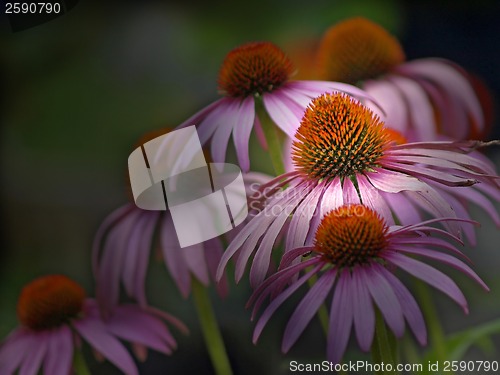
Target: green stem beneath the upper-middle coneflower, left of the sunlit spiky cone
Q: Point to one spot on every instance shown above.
(271, 133)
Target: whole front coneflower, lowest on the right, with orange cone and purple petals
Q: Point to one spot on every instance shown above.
(355, 255)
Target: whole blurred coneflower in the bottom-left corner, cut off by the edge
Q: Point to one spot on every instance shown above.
(56, 316)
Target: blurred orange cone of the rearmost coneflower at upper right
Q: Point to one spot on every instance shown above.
(357, 49)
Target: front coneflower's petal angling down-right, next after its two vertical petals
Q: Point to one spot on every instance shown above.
(384, 297)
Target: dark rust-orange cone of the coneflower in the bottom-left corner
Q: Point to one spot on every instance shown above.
(49, 302)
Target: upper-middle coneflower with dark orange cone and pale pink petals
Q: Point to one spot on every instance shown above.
(256, 70)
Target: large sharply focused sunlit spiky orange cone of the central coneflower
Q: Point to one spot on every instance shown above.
(338, 136)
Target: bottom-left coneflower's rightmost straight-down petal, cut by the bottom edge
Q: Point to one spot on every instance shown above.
(59, 352)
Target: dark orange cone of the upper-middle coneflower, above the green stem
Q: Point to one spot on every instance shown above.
(254, 68)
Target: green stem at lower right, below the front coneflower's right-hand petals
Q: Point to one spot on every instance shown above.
(436, 333)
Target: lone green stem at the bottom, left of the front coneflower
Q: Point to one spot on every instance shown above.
(210, 328)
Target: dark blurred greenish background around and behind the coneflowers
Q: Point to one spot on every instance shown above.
(78, 91)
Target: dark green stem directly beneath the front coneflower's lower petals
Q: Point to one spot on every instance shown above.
(384, 348)
